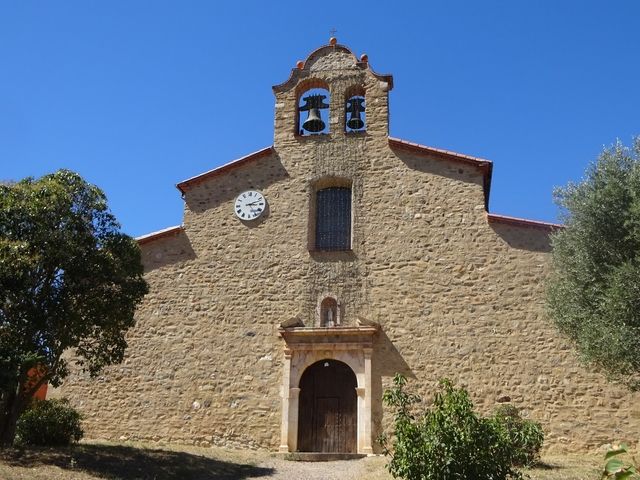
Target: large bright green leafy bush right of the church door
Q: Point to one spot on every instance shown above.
(447, 441)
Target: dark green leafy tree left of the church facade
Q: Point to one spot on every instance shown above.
(69, 279)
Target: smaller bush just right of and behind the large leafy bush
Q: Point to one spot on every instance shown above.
(524, 437)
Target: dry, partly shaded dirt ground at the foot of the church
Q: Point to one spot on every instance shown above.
(90, 461)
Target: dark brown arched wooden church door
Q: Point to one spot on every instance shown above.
(327, 420)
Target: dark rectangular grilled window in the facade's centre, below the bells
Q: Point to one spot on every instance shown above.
(333, 219)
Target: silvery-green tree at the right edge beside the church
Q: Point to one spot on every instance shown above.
(594, 289)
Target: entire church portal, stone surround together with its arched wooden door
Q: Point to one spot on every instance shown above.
(328, 410)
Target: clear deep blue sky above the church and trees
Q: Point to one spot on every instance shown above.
(139, 95)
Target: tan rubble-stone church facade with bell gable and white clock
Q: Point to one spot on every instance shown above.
(305, 275)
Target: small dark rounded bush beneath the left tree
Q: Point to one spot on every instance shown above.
(49, 422)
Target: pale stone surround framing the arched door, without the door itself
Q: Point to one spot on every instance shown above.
(306, 346)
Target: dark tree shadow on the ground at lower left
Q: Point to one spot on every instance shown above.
(120, 462)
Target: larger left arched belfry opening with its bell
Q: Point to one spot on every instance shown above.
(313, 108)
